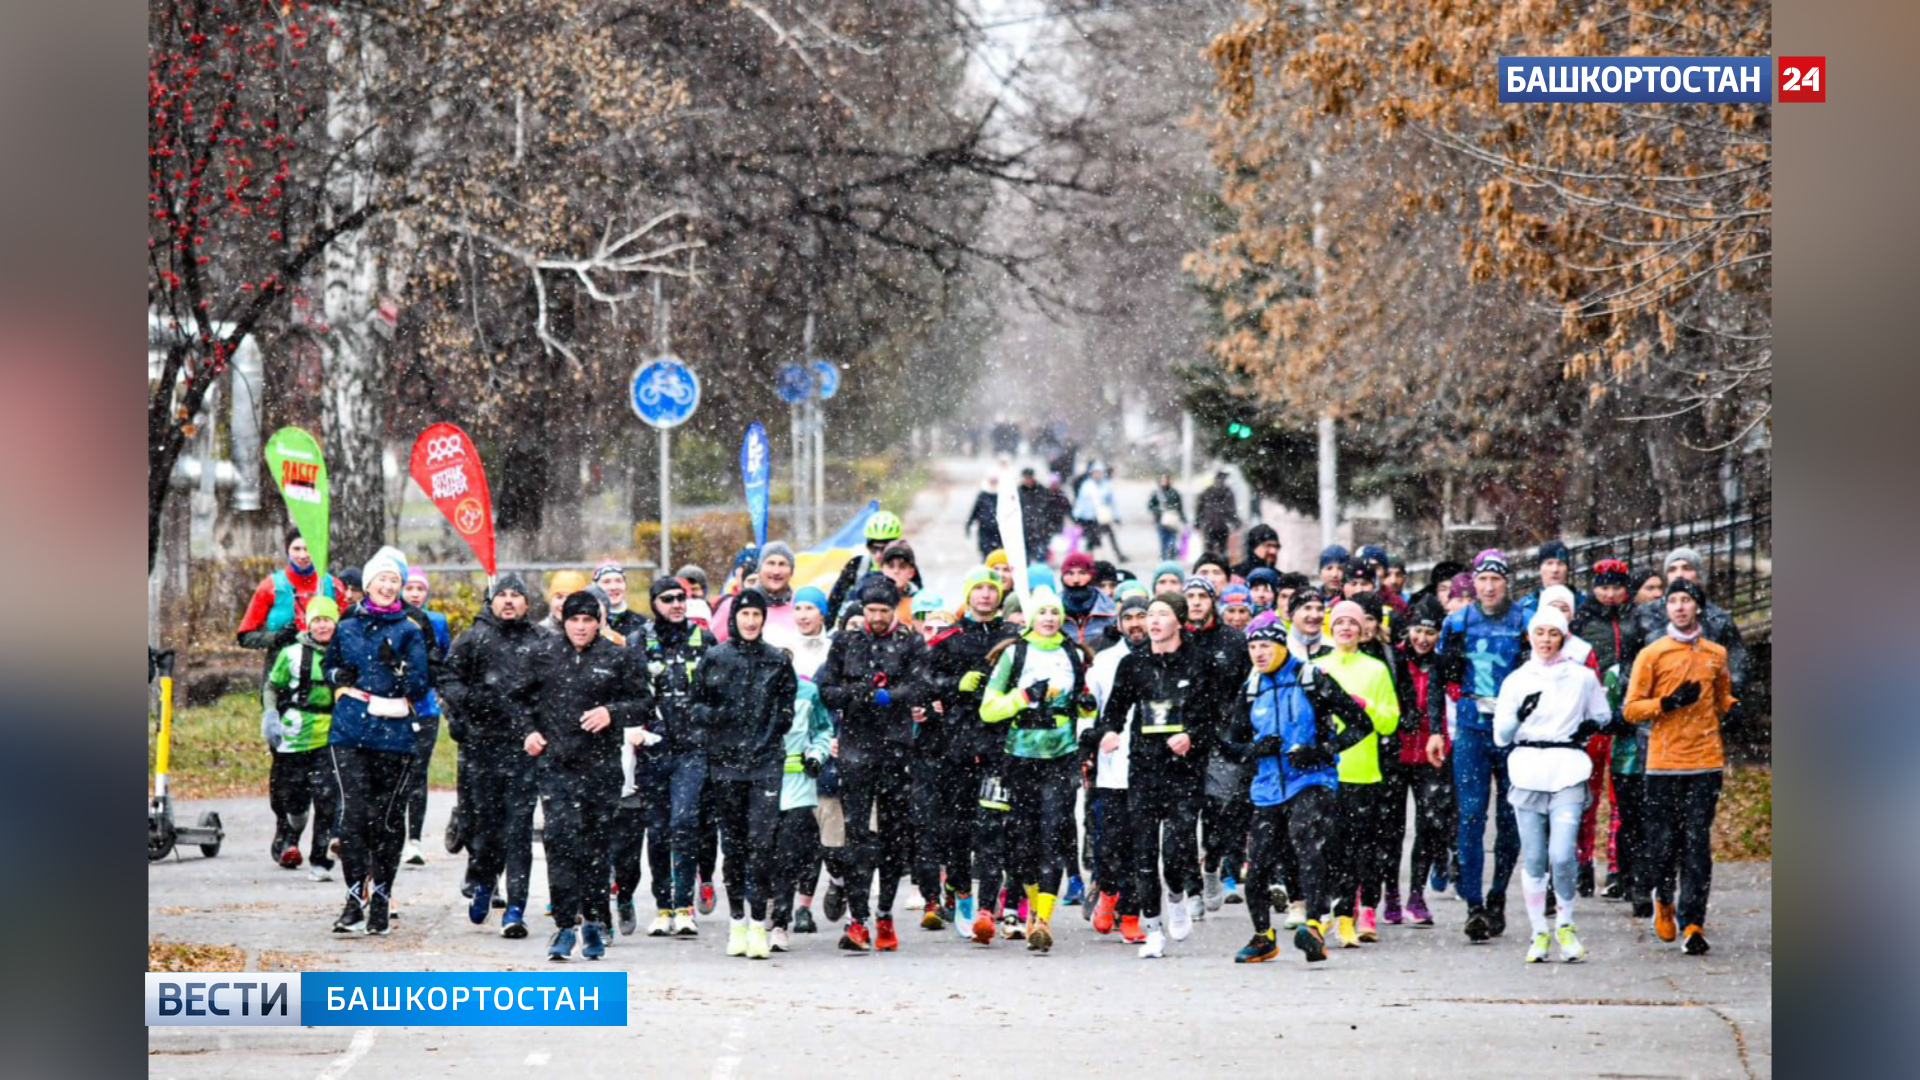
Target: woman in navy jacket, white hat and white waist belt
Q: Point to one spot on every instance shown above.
(377, 666)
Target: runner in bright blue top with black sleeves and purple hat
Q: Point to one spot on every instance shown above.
(1291, 724)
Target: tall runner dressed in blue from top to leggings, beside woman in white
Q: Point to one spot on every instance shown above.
(1481, 645)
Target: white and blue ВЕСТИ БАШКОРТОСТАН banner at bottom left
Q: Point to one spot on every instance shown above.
(400, 998)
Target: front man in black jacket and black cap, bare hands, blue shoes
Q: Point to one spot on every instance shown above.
(587, 695)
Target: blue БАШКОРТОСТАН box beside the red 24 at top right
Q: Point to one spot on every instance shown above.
(1620, 80)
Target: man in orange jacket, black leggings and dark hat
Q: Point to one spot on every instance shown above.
(1683, 687)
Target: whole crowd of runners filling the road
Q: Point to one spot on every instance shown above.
(1141, 749)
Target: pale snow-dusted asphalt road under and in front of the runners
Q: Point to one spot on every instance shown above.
(1420, 1002)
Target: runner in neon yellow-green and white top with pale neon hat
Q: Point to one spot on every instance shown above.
(1038, 685)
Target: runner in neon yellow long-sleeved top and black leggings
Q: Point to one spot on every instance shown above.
(1360, 858)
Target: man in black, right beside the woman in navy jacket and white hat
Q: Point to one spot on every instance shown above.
(483, 687)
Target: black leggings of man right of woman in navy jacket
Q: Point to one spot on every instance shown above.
(500, 795)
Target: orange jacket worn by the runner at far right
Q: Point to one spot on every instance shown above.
(1685, 739)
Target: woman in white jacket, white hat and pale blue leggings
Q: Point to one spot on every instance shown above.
(1547, 712)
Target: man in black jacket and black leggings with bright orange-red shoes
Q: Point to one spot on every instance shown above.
(871, 681)
